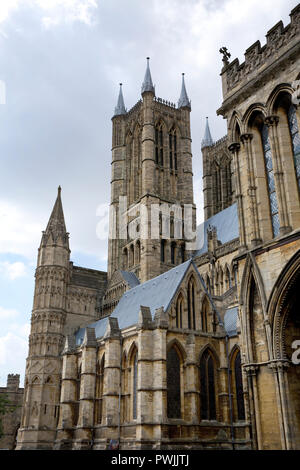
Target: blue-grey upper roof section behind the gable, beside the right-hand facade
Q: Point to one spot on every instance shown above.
(226, 223)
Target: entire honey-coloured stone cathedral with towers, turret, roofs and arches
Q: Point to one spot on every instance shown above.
(181, 345)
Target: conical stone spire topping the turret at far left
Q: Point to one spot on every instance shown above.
(56, 226)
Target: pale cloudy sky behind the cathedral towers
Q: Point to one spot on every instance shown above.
(60, 65)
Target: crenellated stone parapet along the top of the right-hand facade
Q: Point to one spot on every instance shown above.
(257, 57)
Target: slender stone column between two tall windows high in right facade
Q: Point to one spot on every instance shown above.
(272, 121)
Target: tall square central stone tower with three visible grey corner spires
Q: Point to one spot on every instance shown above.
(151, 179)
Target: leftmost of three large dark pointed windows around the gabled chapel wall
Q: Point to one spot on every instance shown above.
(173, 384)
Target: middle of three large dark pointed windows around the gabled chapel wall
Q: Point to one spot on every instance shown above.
(207, 387)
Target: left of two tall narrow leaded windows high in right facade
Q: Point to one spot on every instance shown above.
(270, 180)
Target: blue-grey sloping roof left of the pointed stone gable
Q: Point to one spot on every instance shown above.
(155, 293)
